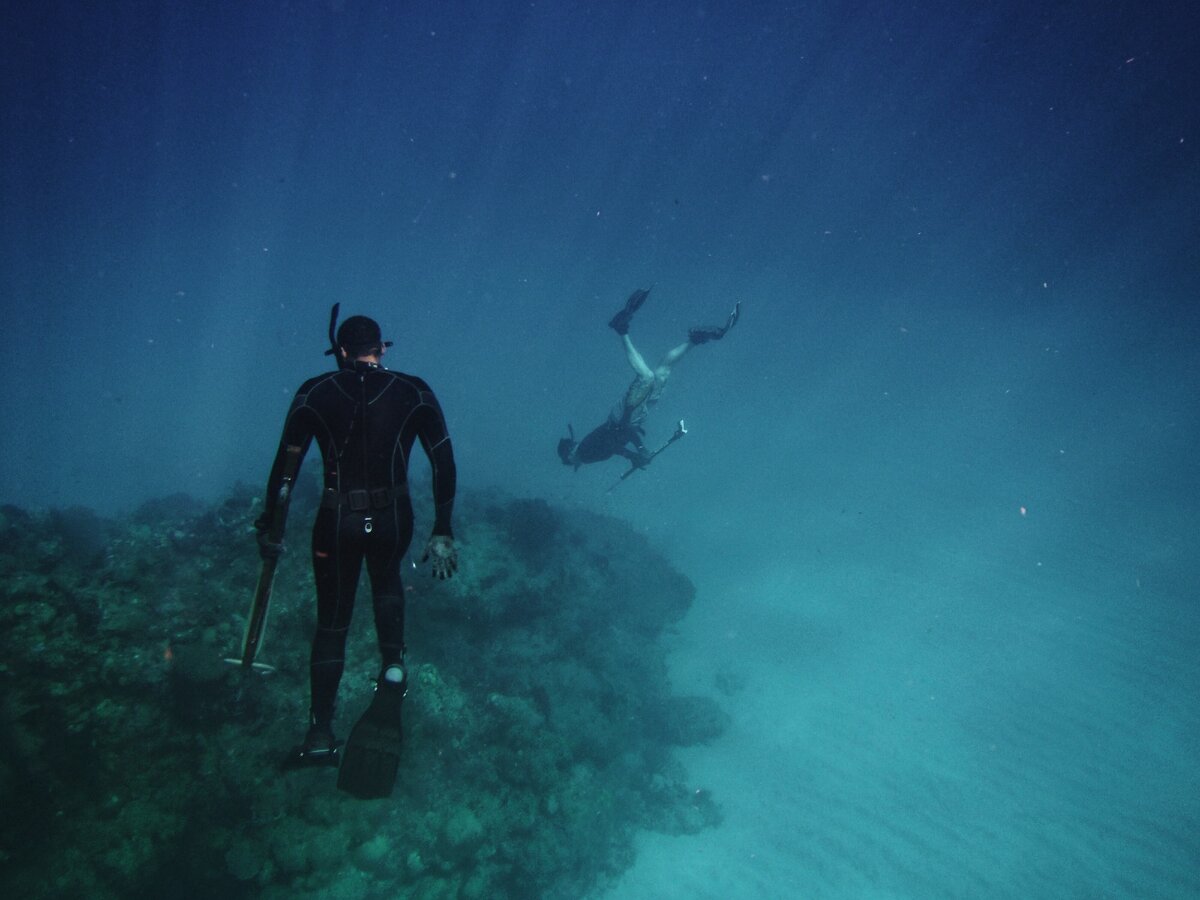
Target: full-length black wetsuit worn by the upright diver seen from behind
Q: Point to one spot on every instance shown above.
(365, 421)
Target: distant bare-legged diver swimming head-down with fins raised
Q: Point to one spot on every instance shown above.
(622, 433)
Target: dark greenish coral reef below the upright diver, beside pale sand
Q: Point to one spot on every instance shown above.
(539, 725)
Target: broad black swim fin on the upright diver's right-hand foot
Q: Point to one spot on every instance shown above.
(371, 757)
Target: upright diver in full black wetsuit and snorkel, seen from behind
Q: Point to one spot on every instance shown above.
(365, 421)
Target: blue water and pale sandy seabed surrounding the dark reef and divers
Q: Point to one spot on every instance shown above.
(940, 491)
